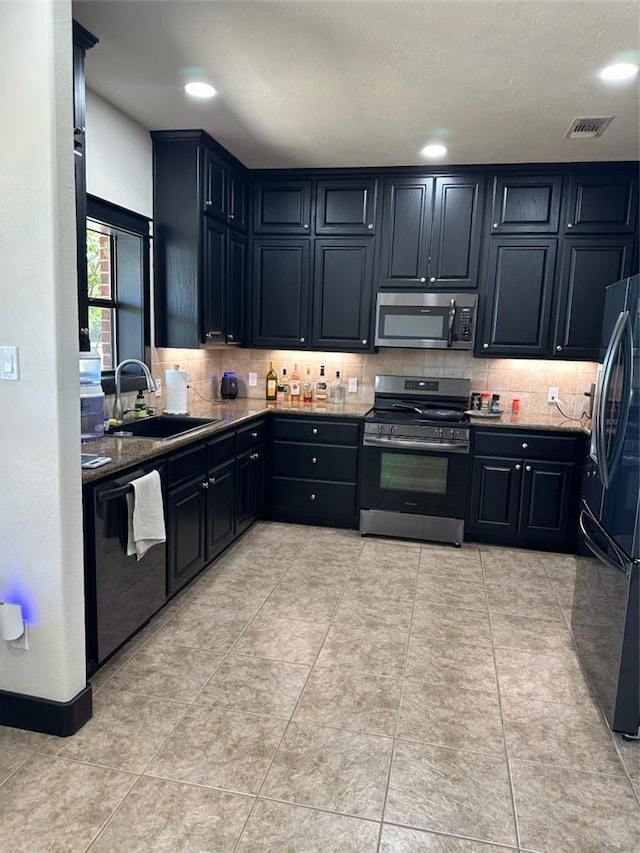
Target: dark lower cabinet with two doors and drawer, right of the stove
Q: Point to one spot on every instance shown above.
(525, 500)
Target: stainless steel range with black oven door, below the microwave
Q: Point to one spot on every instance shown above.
(416, 459)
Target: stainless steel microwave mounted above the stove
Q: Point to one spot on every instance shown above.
(426, 320)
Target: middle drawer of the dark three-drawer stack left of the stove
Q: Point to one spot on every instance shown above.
(319, 462)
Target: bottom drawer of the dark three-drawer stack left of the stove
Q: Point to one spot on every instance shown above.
(313, 498)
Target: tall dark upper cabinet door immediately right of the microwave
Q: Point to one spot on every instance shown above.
(517, 310)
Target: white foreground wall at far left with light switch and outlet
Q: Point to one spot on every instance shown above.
(40, 482)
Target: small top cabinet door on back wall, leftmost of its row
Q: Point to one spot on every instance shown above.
(282, 207)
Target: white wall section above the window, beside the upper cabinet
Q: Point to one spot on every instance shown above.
(119, 156)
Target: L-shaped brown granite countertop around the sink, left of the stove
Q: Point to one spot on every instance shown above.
(125, 452)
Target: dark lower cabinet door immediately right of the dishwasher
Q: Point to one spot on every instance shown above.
(186, 552)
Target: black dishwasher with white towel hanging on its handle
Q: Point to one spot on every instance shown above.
(121, 592)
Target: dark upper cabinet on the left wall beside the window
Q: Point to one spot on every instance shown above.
(196, 265)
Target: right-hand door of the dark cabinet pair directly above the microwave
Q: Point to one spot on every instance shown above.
(455, 242)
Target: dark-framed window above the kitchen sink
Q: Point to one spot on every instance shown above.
(117, 289)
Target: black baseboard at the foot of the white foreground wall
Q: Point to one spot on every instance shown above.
(46, 715)
